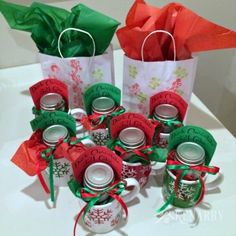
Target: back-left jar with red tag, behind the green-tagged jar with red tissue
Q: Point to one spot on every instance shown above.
(49, 95)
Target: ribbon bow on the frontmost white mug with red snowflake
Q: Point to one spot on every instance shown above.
(91, 197)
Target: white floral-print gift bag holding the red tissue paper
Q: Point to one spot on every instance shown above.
(141, 79)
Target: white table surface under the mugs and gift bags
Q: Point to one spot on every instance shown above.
(25, 208)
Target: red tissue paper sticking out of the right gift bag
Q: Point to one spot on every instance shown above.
(191, 32)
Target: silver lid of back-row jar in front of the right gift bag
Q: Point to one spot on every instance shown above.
(165, 112)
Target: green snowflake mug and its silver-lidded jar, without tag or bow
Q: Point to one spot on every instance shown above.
(189, 154)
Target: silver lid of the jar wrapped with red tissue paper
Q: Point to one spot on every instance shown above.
(53, 133)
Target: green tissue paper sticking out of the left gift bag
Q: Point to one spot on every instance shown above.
(45, 23)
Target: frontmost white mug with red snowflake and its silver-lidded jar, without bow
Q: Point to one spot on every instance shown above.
(107, 213)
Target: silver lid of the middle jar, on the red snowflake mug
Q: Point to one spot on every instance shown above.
(132, 137)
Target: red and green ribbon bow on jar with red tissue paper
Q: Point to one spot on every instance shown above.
(49, 155)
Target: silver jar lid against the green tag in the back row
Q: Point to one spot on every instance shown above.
(103, 105)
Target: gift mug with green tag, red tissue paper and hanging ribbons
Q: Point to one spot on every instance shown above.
(50, 150)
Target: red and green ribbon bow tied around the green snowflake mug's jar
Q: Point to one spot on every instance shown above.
(176, 165)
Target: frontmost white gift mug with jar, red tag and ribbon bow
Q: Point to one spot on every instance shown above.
(98, 183)
